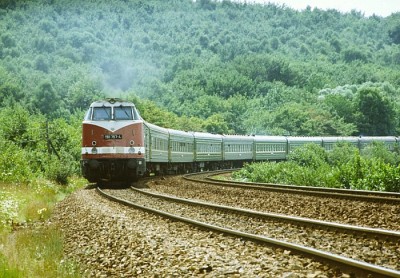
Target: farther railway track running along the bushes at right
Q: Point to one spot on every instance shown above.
(370, 196)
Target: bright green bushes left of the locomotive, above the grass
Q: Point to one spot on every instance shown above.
(33, 147)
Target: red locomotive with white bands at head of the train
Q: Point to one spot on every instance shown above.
(112, 142)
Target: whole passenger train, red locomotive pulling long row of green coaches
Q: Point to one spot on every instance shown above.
(118, 145)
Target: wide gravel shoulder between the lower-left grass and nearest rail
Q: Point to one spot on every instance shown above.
(108, 239)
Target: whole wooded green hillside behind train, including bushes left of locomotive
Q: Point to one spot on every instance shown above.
(214, 66)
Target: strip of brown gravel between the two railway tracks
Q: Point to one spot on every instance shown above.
(353, 212)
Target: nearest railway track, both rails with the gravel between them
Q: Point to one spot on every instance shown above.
(362, 250)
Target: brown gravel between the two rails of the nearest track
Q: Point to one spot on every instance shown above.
(376, 250)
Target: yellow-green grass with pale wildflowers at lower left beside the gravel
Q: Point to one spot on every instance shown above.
(30, 246)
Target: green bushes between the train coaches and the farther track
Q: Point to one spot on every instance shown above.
(375, 168)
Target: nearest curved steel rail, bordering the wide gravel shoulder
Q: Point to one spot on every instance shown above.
(356, 265)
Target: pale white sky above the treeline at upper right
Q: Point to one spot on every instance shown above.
(367, 7)
